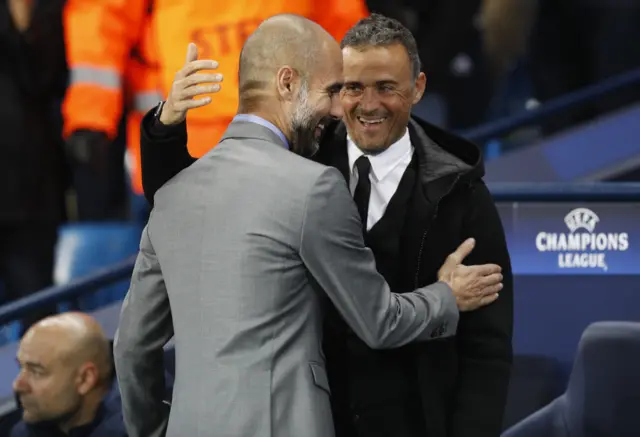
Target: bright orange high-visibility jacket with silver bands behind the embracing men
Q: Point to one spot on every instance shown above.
(128, 51)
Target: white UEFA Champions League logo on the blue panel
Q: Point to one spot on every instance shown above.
(582, 247)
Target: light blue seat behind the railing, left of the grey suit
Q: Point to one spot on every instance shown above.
(86, 247)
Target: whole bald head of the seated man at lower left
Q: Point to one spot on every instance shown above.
(65, 370)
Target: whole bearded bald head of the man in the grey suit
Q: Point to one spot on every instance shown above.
(290, 75)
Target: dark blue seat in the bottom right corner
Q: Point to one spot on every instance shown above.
(603, 396)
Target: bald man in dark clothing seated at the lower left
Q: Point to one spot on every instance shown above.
(66, 384)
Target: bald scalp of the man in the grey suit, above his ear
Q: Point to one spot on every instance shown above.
(282, 40)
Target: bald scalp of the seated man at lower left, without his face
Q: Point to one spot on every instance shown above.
(77, 339)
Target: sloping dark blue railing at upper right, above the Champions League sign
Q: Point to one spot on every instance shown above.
(552, 108)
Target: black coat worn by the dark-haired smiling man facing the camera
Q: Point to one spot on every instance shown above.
(455, 387)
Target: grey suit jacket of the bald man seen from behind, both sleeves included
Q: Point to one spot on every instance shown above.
(237, 260)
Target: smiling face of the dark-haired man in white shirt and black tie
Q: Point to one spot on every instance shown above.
(378, 94)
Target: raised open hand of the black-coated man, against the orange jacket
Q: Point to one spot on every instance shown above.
(188, 84)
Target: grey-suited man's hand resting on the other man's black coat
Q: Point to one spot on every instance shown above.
(473, 286)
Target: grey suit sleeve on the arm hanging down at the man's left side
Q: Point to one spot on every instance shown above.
(145, 327)
